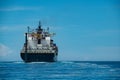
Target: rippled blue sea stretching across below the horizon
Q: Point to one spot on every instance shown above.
(61, 70)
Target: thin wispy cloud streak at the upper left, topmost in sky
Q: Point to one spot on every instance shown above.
(19, 8)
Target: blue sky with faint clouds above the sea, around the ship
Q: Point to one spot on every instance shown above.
(86, 30)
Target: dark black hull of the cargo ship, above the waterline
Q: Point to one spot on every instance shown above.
(39, 57)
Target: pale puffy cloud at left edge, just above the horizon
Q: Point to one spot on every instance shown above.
(4, 50)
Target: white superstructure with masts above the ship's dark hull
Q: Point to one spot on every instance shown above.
(40, 41)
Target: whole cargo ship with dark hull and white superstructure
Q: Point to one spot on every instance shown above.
(39, 46)
